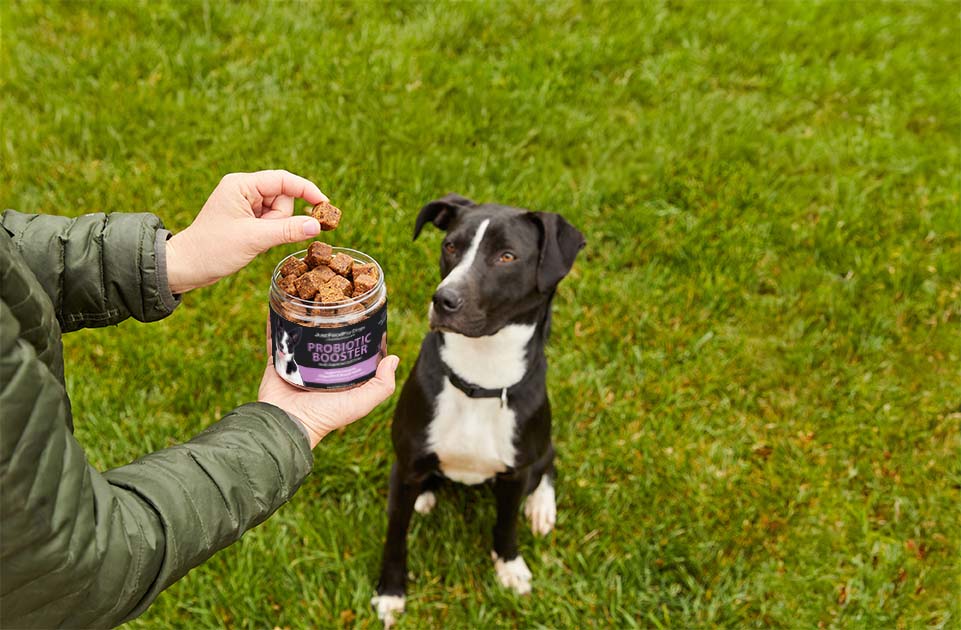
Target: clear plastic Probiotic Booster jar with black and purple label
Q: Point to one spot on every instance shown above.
(329, 347)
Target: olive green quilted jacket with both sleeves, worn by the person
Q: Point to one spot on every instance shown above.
(80, 547)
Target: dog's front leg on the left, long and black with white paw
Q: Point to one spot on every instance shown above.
(392, 586)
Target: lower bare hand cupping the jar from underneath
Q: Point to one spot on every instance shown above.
(322, 412)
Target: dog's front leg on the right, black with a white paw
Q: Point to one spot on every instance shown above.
(511, 569)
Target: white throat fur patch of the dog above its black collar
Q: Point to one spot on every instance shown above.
(491, 362)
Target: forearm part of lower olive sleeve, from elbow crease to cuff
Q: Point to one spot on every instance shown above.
(205, 494)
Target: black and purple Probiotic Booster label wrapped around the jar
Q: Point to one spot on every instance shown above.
(328, 358)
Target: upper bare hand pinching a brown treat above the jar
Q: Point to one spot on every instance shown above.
(246, 214)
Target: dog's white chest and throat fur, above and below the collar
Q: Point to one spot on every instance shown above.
(474, 437)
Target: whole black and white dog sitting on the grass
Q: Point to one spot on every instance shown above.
(475, 407)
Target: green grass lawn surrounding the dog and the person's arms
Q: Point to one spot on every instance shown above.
(755, 364)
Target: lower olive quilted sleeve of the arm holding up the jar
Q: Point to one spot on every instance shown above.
(84, 549)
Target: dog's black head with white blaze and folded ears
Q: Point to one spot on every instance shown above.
(498, 264)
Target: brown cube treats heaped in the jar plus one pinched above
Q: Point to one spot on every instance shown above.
(323, 276)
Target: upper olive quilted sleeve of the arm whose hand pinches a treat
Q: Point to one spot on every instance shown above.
(98, 269)
